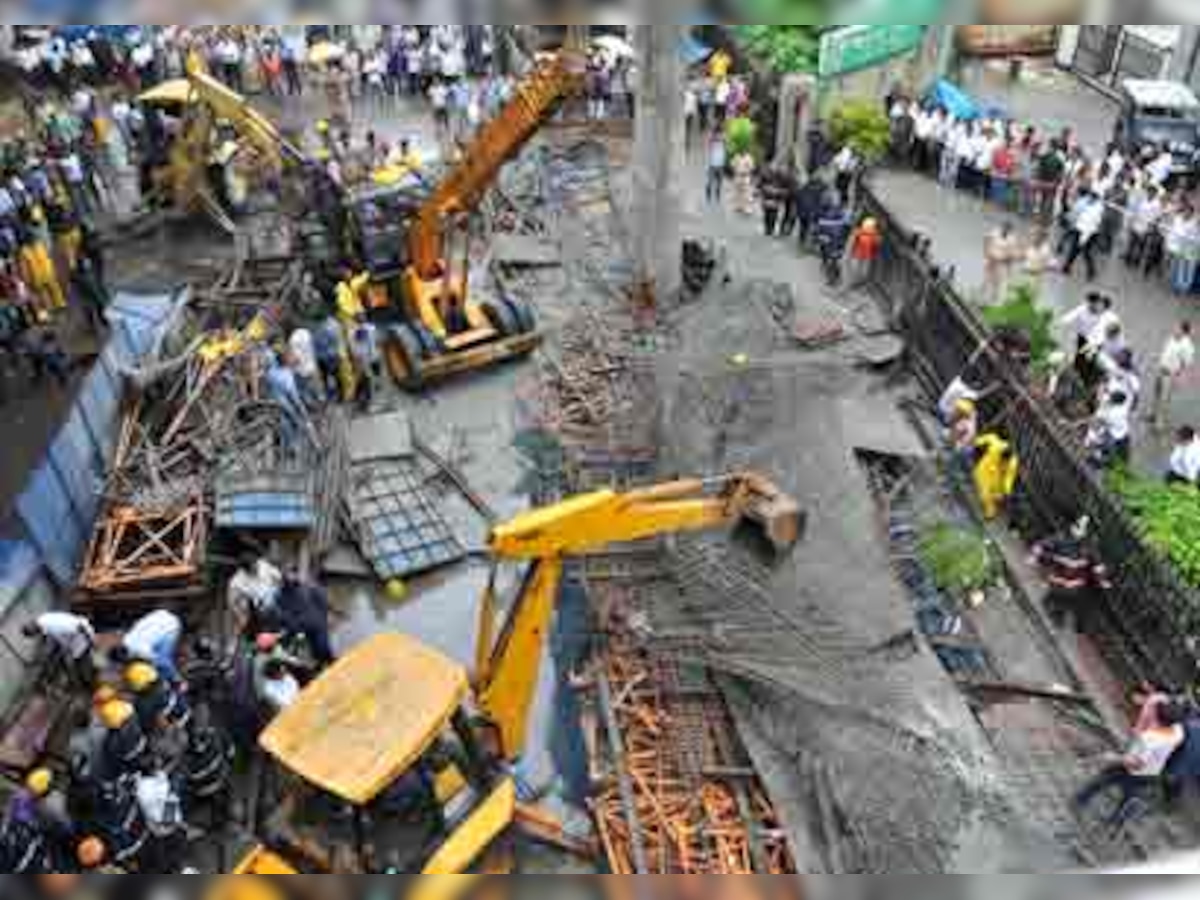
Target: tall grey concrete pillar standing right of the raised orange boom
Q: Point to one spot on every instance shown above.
(659, 158)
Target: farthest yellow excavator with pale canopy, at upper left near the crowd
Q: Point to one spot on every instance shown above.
(196, 110)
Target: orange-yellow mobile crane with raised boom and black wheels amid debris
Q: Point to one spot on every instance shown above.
(412, 238)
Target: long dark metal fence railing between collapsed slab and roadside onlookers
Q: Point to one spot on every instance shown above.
(1154, 615)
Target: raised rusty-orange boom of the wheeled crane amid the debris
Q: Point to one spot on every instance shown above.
(497, 143)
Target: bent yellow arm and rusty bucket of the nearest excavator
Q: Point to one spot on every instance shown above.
(508, 668)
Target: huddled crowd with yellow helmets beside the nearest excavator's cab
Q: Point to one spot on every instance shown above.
(158, 723)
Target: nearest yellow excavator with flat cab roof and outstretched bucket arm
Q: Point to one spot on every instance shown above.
(397, 760)
